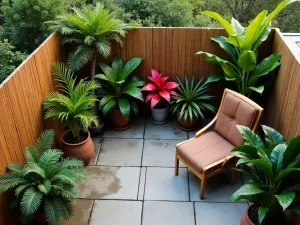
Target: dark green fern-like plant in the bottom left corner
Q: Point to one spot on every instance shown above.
(46, 183)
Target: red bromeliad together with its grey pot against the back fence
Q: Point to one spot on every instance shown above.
(159, 92)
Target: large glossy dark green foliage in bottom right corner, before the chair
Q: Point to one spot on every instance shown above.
(275, 172)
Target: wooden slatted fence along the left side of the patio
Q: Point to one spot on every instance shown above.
(21, 119)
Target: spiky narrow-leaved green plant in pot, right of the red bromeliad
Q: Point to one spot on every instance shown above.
(191, 101)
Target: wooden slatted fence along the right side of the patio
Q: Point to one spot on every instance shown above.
(282, 108)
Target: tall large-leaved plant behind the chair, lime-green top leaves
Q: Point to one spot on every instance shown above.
(242, 44)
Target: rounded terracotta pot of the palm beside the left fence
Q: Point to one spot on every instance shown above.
(82, 148)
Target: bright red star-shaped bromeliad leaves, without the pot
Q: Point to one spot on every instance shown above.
(159, 88)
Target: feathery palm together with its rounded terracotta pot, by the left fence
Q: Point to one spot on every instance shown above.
(74, 108)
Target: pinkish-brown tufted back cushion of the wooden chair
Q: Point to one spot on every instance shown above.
(234, 111)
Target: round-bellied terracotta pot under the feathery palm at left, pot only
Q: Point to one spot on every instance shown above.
(83, 151)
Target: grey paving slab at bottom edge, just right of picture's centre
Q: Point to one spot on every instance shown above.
(168, 213)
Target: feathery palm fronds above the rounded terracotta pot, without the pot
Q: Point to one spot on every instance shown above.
(74, 105)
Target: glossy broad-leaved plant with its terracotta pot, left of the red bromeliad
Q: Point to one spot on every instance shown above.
(119, 91)
